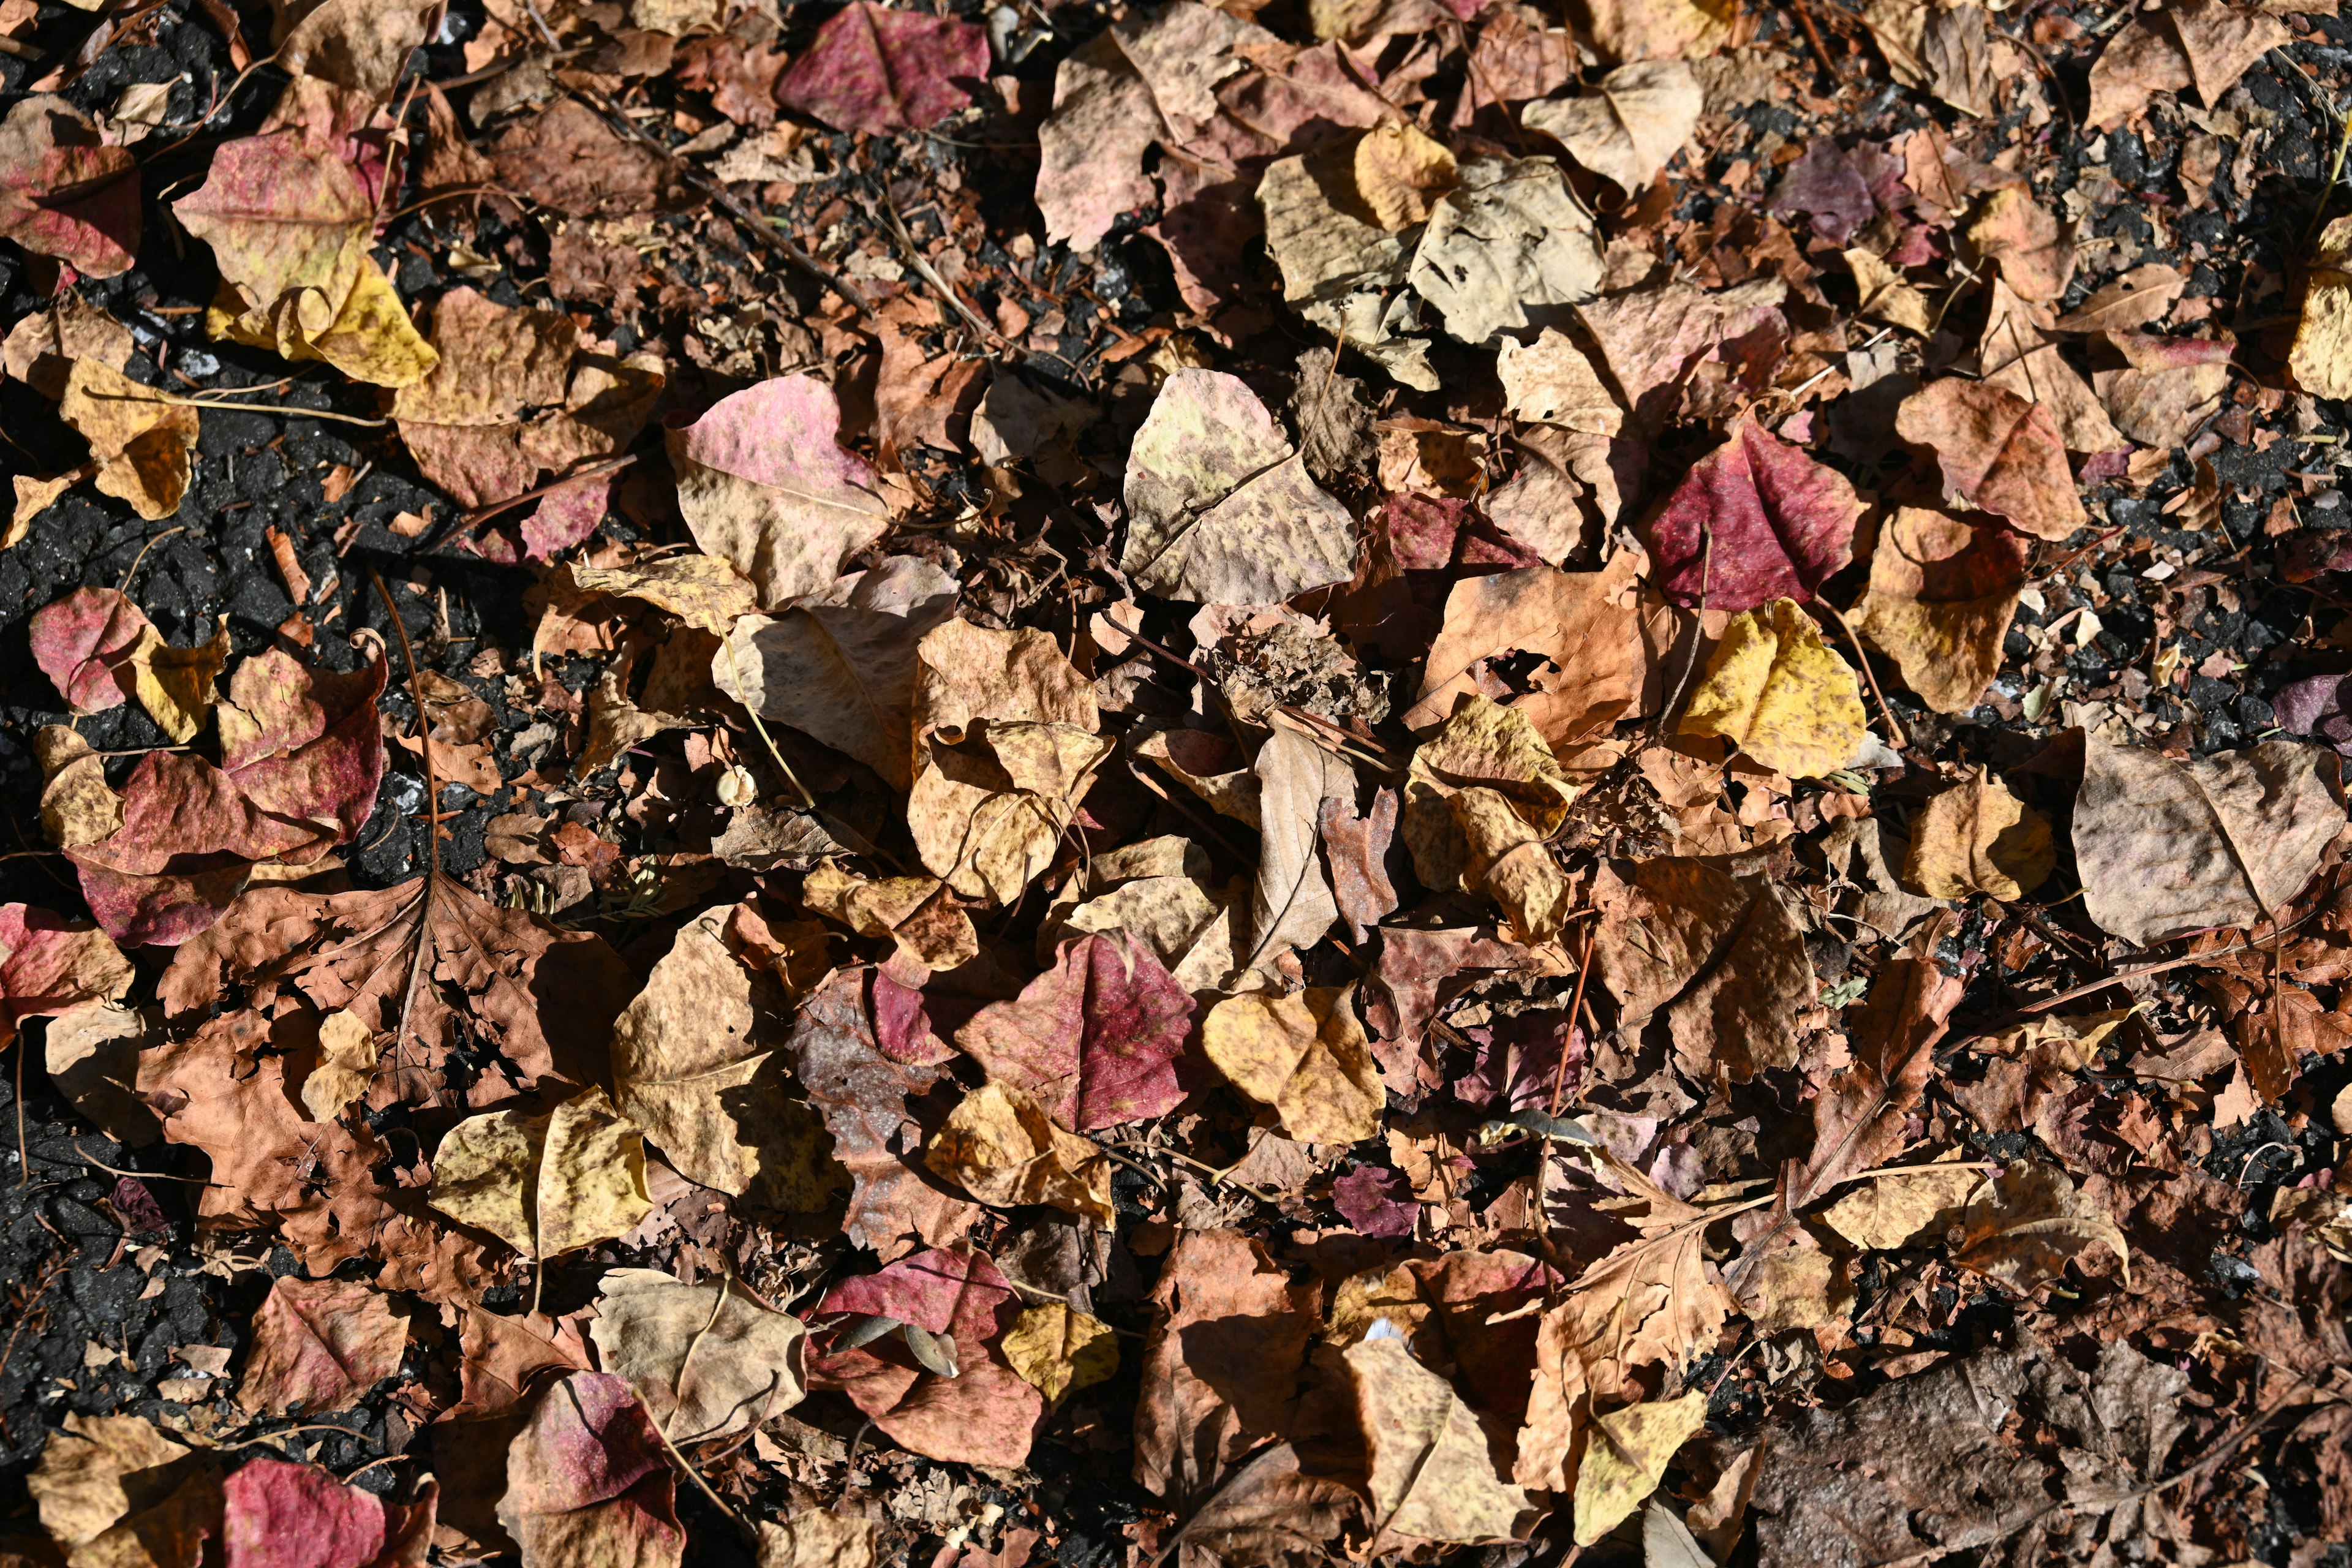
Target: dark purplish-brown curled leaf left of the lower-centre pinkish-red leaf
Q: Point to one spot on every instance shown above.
(862, 1097)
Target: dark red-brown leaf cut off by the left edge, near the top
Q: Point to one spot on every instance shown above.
(65, 192)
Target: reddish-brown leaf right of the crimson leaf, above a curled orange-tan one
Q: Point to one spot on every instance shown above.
(1998, 453)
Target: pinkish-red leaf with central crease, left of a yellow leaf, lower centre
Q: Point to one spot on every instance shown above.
(1095, 1038)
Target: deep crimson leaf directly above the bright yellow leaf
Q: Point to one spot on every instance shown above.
(1756, 521)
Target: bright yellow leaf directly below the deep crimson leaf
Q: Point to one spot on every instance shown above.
(1782, 695)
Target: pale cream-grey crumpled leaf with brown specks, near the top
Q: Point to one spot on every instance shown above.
(1506, 239)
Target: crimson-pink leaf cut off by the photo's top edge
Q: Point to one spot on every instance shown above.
(874, 69)
